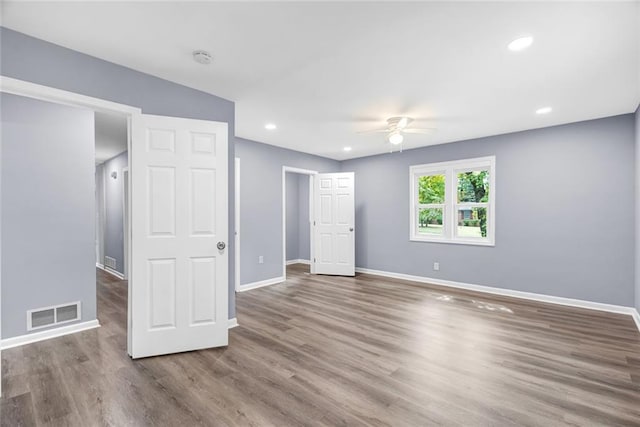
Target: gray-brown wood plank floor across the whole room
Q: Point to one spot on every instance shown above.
(320, 350)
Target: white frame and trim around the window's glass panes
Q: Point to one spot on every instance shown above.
(450, 205)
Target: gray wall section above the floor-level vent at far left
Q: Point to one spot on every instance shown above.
(47, 209)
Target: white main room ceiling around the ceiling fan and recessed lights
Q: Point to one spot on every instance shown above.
(324, 71)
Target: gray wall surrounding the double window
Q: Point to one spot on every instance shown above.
(564, 221)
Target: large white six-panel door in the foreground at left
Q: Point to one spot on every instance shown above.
(178, 292)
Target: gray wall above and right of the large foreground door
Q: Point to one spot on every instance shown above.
(27, 58)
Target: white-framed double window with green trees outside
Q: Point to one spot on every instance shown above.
(454, 202)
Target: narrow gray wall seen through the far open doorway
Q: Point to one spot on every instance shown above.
(297, 218)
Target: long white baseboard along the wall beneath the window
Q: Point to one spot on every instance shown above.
(511, 293)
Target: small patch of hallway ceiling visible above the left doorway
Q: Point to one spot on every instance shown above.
(111, 136)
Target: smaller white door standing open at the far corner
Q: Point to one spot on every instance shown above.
(334, 235)
